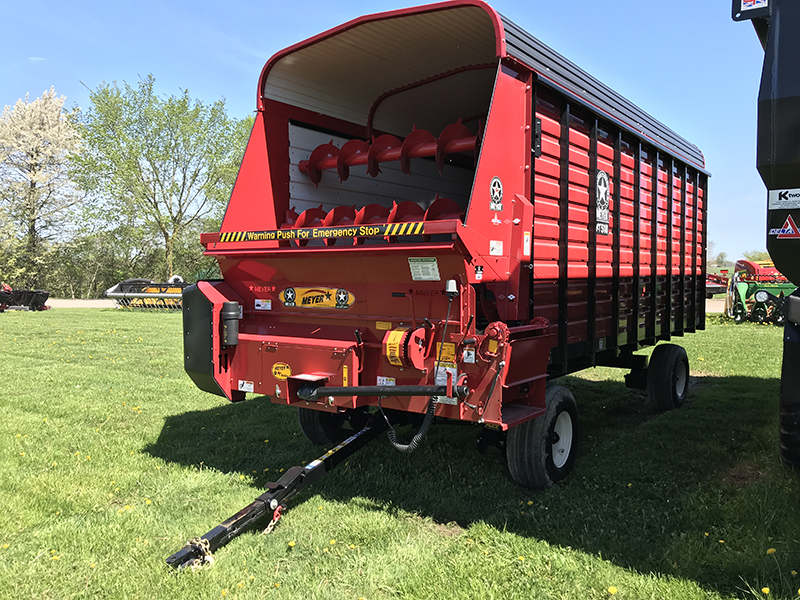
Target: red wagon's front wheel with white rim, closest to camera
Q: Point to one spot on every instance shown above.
(537, 456)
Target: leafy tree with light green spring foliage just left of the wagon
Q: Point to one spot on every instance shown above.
(162, 165)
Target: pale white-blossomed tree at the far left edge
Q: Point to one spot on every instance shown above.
(37, 196)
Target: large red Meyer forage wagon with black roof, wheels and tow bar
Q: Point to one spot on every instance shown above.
(441, 226)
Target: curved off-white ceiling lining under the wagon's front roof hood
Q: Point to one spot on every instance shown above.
(343, 75)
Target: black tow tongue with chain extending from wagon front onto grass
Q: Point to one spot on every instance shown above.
(273, 501)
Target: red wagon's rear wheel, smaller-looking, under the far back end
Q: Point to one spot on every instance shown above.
(668, 377)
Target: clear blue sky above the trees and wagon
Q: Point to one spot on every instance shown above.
(685, 62)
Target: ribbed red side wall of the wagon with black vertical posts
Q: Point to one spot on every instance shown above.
(649, 262)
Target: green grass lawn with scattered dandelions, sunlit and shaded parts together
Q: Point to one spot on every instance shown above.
(111, 460)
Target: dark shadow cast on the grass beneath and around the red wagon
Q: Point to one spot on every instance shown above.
(651, 492)
